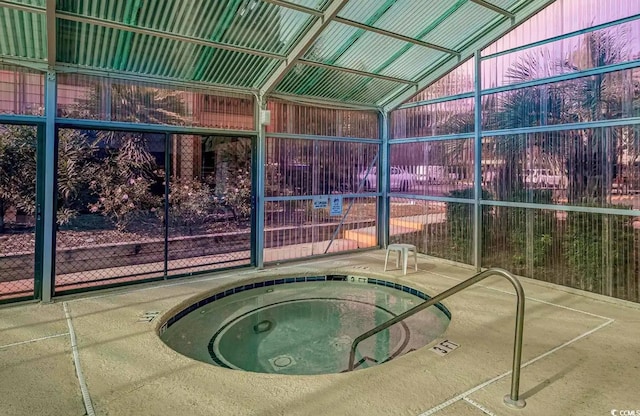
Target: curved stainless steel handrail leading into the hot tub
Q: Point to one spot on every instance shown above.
(511, 399)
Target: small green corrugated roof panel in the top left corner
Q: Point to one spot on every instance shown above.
(22, 34)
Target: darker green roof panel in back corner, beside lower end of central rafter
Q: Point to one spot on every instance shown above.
(336, 85)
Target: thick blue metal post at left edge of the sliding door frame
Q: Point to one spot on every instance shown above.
(49, 196)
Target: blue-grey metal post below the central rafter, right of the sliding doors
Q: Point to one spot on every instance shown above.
(259, 183)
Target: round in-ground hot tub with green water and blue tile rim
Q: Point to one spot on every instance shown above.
(302, 325)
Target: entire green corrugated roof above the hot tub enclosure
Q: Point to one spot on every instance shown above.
(240, 43)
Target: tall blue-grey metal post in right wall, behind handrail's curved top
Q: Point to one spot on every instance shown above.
(477, 164)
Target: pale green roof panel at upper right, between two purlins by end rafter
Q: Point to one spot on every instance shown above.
(463, 24)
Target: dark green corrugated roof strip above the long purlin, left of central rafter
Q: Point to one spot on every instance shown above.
(250, 24)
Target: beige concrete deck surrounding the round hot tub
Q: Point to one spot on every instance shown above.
(581, 354)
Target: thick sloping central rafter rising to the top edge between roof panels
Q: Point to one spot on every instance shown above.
(303, 45)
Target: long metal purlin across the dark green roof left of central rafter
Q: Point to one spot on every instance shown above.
(165, 35)
